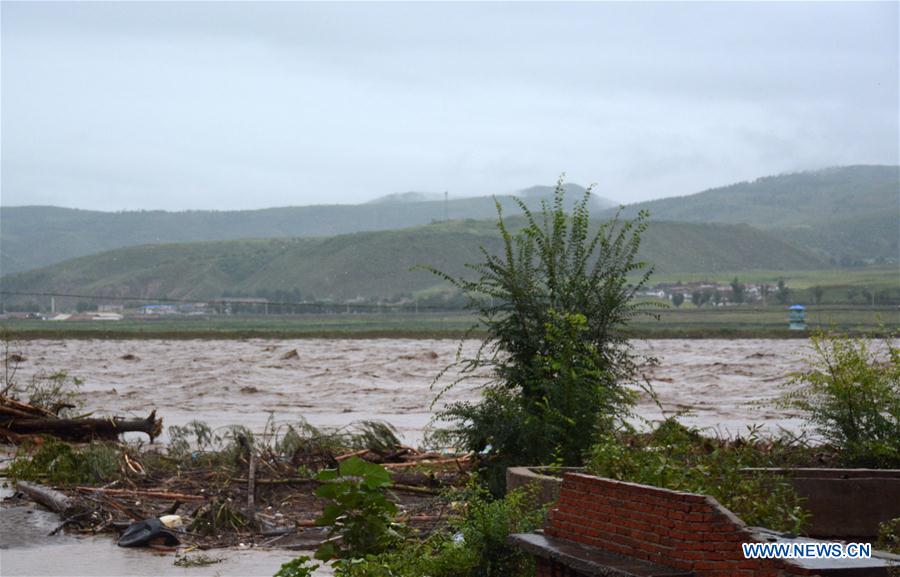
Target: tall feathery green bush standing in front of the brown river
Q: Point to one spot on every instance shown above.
(553, 304)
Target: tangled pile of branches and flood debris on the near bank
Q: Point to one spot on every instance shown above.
(229, 487)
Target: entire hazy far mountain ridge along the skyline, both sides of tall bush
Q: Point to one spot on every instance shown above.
(843, 215)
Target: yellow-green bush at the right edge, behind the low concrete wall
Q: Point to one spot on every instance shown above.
(850, 396)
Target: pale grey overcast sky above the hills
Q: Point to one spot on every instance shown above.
(175, 106)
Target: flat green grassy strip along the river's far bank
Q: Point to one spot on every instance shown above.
(686, 322)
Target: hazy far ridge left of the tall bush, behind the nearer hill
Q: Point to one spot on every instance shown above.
(36, 236)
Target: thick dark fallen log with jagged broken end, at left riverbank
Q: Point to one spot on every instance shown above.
(83, 429)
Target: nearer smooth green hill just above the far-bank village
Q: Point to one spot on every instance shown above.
(372, 265)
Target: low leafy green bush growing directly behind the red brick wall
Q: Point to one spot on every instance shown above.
(680, 458)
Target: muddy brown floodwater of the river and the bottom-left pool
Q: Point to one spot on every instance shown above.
(723, 384)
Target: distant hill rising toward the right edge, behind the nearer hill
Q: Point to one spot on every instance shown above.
(846, 213)
